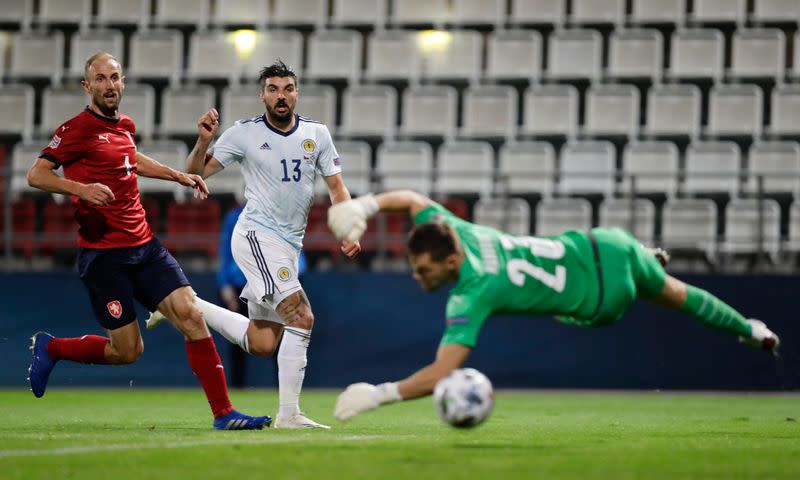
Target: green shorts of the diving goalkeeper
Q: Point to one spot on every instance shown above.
(626, 270)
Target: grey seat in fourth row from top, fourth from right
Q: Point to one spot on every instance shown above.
(588, 167)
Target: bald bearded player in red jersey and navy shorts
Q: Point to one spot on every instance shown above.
(119, 258)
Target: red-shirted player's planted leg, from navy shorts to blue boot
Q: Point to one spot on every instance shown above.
(161, 284)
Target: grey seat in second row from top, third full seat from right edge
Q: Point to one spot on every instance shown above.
(636, 54)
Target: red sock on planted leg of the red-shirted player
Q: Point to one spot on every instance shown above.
(206, 364)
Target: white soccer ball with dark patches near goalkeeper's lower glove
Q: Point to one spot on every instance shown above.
(464, 398)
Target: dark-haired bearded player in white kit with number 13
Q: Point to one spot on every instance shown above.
(281, 154)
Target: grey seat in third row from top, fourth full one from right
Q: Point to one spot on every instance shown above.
(550, 110)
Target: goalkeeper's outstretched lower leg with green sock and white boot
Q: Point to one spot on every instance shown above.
(713, 312)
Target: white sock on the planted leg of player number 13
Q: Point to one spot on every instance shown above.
(292, 368)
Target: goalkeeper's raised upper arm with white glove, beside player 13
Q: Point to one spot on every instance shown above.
(348, 220)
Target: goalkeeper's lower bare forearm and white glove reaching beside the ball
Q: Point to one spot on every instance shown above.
(362, 397)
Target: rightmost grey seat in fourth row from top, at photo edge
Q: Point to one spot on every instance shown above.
(779, 163)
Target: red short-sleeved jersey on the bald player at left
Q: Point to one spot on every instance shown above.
(97, 149)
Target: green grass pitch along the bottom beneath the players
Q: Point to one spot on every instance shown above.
(147, 434)
